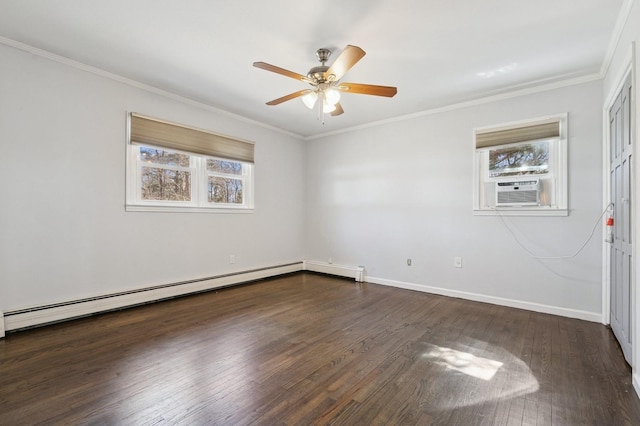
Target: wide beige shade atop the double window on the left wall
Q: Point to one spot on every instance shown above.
(146, 130)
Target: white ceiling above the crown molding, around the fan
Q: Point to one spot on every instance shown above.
(437, 52)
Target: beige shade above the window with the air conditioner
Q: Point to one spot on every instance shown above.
(530, 132)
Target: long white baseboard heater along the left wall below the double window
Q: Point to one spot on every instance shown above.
(14, 320)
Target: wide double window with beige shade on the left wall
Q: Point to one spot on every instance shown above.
(174, 168)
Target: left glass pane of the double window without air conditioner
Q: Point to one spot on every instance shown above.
(166, 185)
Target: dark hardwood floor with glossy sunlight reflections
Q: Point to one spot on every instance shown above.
(310, 349)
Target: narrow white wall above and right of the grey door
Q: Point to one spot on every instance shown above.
(622, 58)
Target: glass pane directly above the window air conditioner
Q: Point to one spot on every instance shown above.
(525, 159)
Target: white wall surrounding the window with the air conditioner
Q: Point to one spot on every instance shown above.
(404, 190)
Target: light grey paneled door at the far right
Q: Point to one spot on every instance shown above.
(621, 248)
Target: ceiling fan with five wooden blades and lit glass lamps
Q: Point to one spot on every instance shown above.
(325, 81)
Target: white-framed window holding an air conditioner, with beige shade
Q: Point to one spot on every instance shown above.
(521, 168)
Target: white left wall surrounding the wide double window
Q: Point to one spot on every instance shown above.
(64, 233)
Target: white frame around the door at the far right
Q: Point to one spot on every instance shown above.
(628, 69)
